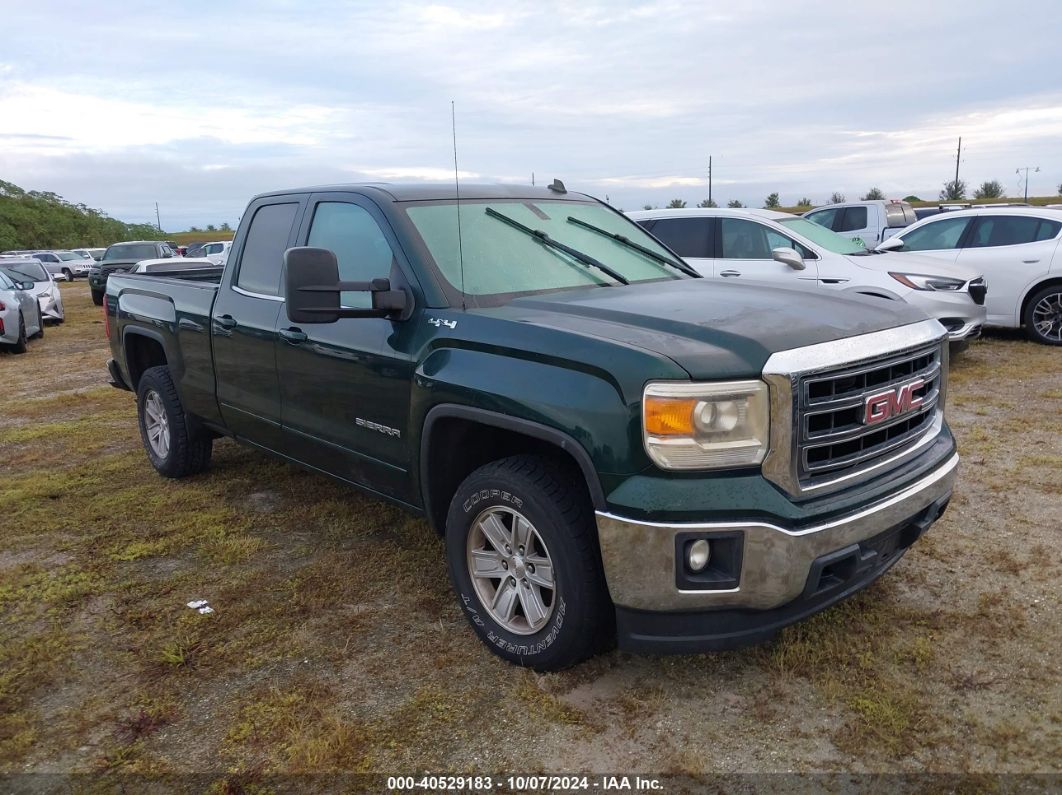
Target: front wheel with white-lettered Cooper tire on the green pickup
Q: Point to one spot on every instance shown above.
(547, 629)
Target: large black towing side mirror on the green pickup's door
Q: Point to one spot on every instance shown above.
(312, 290)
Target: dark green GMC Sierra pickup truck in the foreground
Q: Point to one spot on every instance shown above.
(613, 448)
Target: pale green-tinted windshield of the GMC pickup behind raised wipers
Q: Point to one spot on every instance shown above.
(503, 261)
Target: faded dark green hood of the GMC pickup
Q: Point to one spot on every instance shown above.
(711, 330)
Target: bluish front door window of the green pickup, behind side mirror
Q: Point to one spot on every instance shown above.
(361, 247)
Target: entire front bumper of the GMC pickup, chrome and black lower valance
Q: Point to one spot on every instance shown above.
(775, 571)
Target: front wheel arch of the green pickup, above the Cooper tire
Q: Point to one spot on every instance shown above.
(487, 437)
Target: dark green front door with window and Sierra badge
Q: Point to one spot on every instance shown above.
(346, 386)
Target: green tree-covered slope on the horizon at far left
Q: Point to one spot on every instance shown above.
(45, 220)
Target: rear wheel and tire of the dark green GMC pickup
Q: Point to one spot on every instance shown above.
(176, 444)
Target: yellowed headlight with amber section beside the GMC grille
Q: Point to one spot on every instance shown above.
(706, 426)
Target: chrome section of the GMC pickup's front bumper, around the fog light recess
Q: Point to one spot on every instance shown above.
(641, 567)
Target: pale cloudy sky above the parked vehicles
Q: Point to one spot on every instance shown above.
(200, 106)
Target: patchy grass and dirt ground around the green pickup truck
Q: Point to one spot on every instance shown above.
(336, 645)
